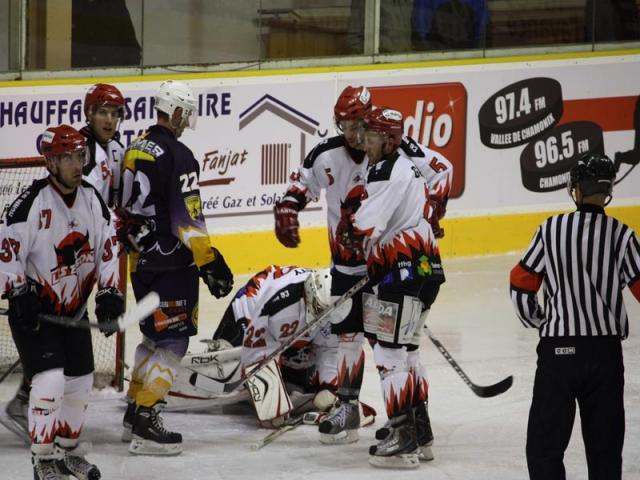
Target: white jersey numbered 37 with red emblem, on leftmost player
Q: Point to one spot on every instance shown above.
(62, 243)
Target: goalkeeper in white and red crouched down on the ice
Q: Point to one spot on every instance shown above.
(265, 315)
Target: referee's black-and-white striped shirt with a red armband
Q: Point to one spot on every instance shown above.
(585, 260)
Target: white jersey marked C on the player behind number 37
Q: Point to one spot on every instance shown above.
(103, 166)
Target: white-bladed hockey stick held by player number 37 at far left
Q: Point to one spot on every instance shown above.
(139, 312)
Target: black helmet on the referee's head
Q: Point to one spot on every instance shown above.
(595, 173)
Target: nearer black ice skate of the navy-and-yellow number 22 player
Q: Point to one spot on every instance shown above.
(149, 435)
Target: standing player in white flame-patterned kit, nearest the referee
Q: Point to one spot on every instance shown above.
(403, 262)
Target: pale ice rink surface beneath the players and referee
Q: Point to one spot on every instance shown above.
(475, 438)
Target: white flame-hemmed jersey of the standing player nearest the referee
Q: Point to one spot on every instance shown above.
(399, 244)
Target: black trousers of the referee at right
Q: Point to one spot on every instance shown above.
(588, 370)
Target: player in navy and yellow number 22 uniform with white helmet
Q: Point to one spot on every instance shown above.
(160, 188)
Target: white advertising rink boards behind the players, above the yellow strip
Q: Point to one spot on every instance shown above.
(264, 125)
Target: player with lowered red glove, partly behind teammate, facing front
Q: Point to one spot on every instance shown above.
(336, 165)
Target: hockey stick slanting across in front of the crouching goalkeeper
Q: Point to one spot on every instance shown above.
(211, 385)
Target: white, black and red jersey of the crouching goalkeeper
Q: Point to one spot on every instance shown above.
(272, 305)
